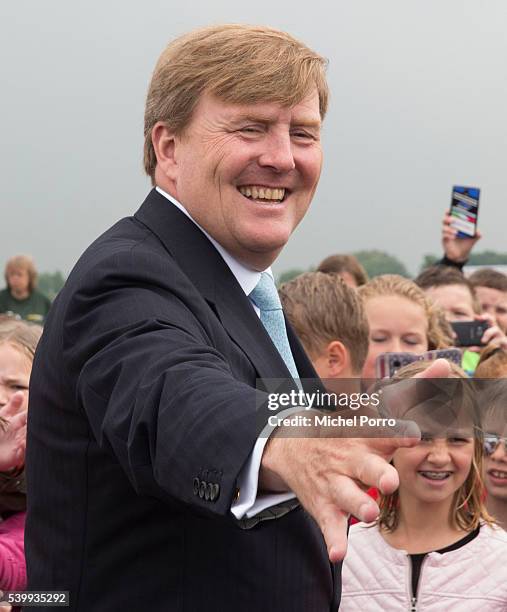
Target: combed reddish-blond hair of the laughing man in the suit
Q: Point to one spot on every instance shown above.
(236, 63)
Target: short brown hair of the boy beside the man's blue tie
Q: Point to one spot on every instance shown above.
(322, 308)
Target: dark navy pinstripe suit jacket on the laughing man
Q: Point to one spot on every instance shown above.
(142, 414)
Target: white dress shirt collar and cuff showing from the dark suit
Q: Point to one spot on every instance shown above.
(250, 501)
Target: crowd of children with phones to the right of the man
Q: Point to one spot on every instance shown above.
(439, 541)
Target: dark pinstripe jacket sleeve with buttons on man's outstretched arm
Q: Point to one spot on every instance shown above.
(143, 351)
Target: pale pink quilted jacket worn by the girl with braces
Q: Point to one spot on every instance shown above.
(376, 576)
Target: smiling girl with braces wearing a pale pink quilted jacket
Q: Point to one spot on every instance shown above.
(434, 546)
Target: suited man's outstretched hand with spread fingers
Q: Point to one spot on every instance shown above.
(328, 474)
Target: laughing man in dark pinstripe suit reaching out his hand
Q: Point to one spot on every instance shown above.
(151, 481)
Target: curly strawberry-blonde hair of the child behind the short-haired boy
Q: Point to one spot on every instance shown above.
(439, 330)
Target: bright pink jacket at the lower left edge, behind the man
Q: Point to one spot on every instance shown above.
(12, 553)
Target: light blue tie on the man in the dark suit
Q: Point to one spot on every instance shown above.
(265, 297)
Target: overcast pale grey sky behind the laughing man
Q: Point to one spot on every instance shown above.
(419, 103)
